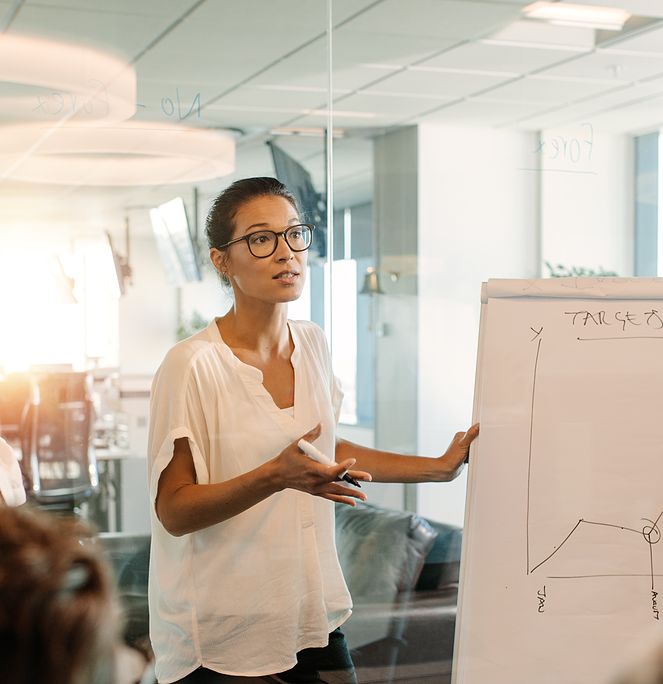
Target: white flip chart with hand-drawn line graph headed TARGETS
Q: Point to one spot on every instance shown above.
(562, 567)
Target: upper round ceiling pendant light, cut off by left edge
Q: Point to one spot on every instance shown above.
(68, 82)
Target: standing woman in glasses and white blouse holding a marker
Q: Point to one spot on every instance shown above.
(244, 577)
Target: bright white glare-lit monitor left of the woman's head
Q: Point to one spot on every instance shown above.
(177, 248)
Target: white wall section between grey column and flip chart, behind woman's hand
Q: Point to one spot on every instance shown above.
(478, 219)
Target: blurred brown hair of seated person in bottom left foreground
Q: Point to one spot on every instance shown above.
(58, 616)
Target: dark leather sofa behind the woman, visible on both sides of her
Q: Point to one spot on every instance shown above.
(402, 571)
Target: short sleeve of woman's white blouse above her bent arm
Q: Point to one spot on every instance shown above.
(175, 412)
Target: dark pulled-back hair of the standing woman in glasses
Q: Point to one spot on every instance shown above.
(220, 224)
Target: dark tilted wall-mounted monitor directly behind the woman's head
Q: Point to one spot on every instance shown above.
(312, 204)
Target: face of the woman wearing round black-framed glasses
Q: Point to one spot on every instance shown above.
(274, 279)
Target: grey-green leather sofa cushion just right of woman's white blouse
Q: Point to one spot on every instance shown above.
(380, 550)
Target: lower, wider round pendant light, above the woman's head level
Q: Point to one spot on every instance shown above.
(130, 153)
